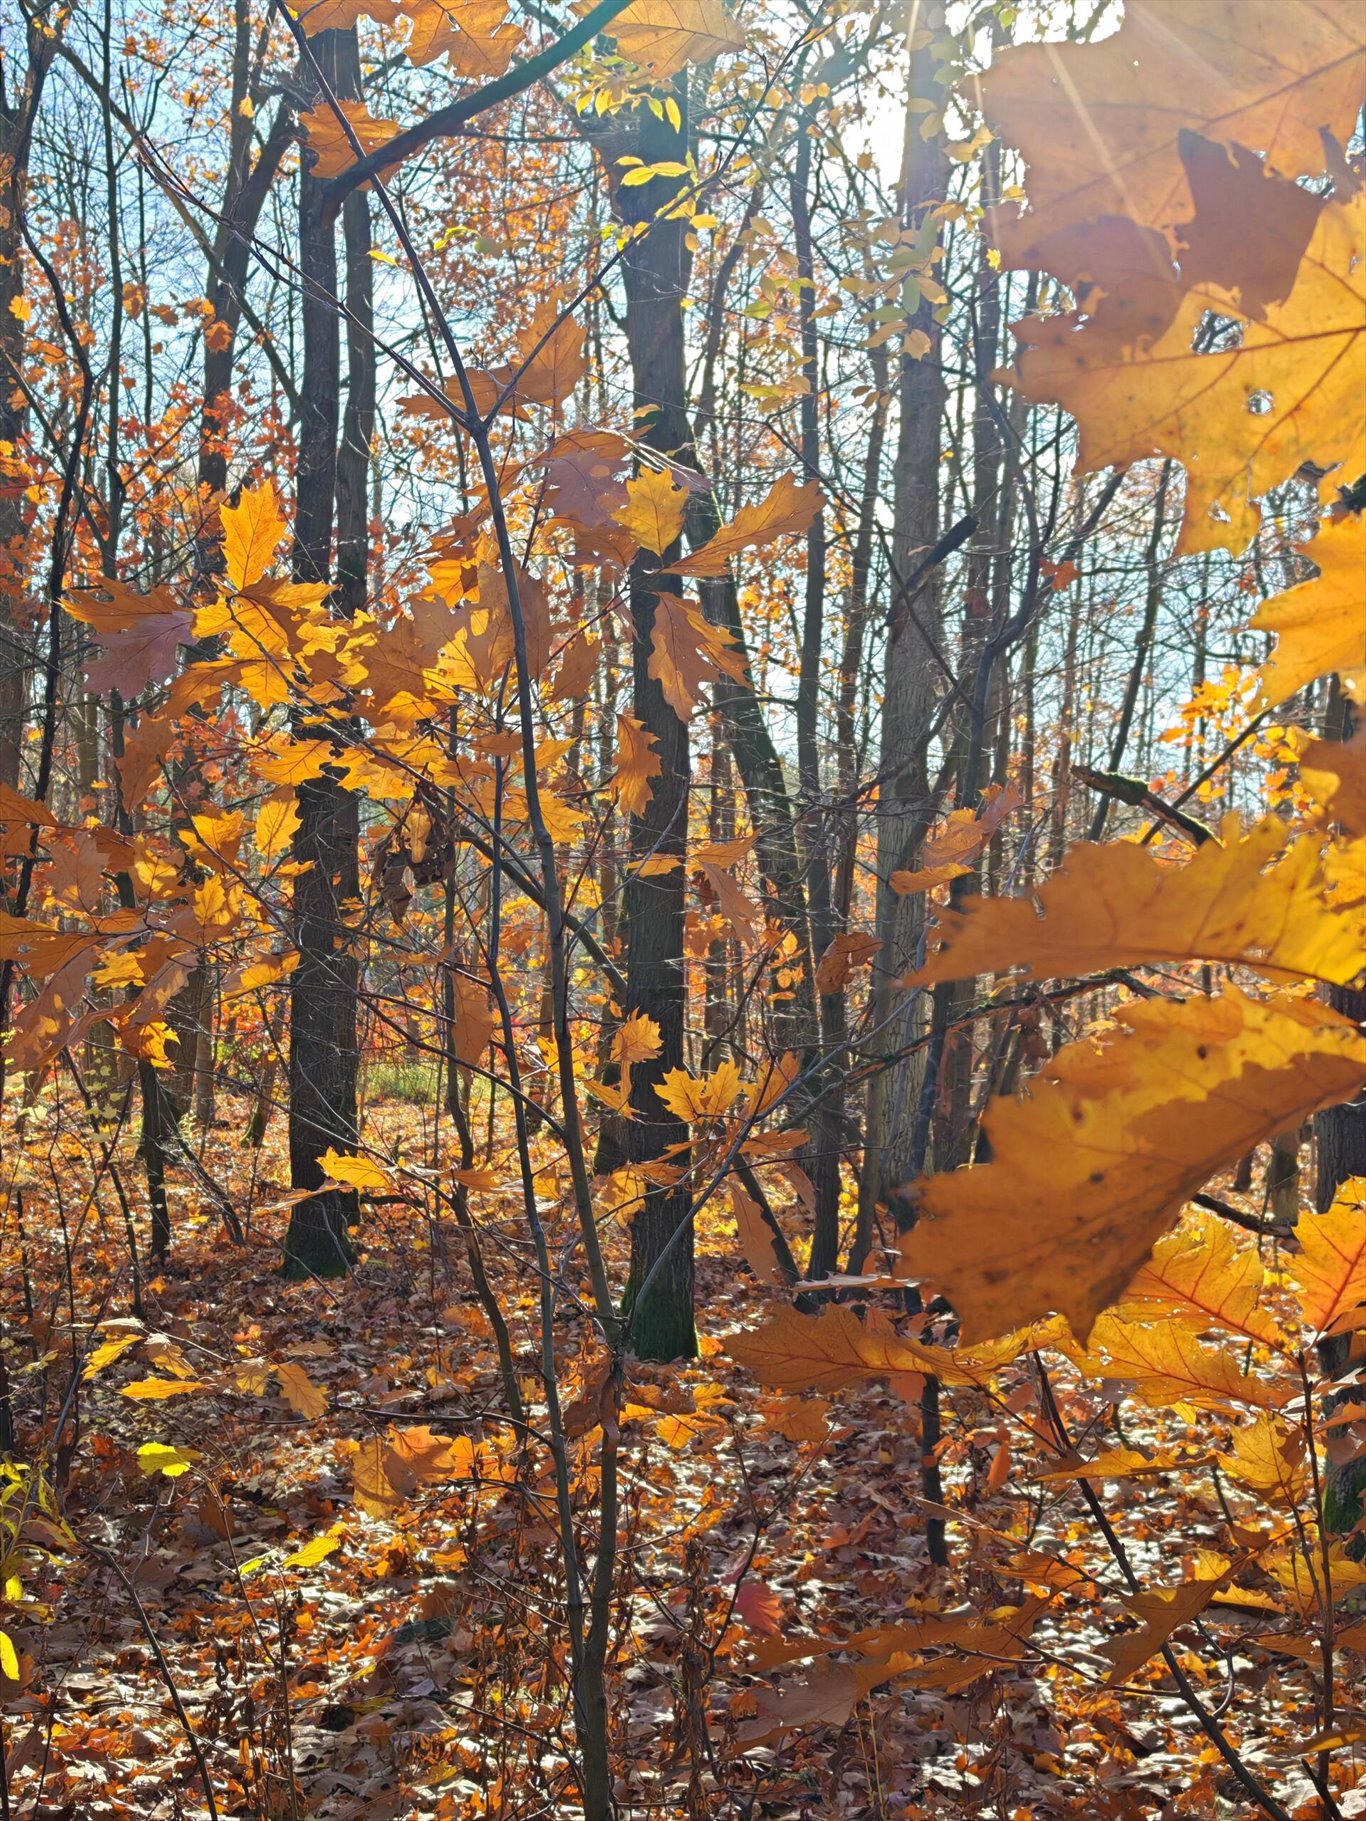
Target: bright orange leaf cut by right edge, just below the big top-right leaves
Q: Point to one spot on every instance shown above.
(1321, 626)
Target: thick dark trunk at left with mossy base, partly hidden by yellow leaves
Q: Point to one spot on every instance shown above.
(323, 1028)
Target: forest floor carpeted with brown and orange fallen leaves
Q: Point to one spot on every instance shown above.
(411, 1660)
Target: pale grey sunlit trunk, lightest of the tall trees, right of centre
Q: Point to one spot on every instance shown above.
(912, 677)
